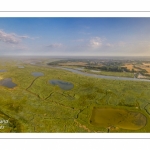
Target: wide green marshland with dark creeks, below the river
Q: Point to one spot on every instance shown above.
(34, 105)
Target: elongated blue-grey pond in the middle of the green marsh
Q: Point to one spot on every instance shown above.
(62, 84)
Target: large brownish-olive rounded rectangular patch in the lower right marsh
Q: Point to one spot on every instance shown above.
(117, 118)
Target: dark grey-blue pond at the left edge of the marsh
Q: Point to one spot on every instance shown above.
(7, 83)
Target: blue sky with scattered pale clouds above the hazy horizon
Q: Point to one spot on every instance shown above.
(75, 36)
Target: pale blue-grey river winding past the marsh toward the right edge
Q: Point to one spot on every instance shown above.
(102, 76)
